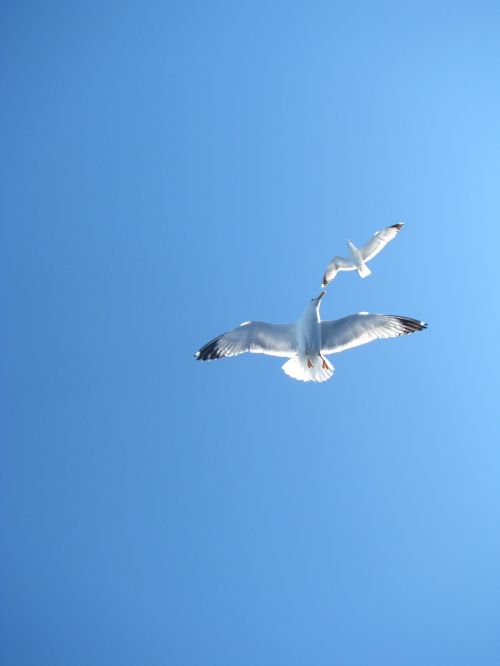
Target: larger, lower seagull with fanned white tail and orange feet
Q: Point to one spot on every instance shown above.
(308, 341)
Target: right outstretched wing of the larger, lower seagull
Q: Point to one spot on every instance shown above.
(361, 328)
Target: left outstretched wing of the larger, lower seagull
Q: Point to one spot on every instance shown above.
(256, 337)
